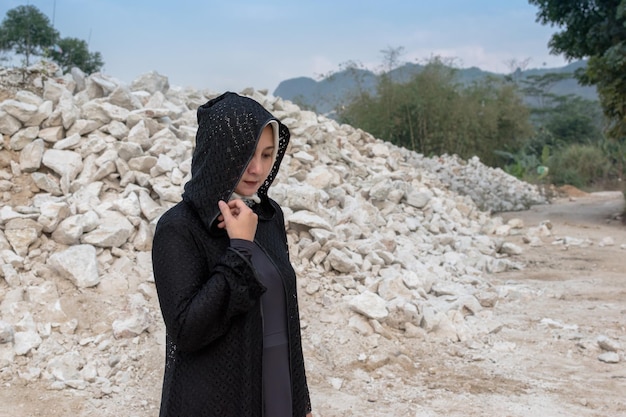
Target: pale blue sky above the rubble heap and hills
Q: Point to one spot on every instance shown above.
(231, 45)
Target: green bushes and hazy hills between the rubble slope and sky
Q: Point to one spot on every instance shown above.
(539, 125)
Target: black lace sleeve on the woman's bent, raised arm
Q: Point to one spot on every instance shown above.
(199, 300)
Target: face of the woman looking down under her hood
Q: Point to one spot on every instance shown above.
(259, 167)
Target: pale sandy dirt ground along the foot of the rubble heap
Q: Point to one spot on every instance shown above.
(542, 360)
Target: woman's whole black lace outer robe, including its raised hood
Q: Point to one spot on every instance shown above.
(208, 293)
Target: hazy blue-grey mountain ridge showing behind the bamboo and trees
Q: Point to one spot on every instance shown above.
(325, 95)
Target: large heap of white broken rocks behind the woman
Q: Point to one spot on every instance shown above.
(389, 245)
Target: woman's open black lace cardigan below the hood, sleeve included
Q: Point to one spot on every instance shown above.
(210, 301)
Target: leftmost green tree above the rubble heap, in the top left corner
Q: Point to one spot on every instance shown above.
(26, 31)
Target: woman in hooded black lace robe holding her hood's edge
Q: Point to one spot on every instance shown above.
(226, 287)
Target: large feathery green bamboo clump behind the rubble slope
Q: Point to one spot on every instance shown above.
(433, 113)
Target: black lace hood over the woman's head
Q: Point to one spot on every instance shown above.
(229, 127)
